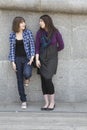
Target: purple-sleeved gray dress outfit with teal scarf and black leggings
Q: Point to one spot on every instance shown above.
(48, 54)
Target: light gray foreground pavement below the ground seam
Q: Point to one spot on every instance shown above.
(43, 121)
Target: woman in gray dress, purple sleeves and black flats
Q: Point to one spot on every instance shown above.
(48, 42)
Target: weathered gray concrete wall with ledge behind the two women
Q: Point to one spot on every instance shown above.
(70, 17)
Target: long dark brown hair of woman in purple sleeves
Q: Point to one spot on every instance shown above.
(49, 25)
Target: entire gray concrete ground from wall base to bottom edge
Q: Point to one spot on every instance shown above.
(65, 116)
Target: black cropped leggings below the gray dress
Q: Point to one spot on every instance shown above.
(47, 86)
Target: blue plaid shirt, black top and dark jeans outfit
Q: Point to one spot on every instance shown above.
(20, 53)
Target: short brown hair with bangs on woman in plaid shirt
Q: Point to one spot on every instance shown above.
(16, 23)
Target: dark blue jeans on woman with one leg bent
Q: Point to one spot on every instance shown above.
(23, 71)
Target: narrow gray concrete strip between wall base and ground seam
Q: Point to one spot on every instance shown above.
(35, 107)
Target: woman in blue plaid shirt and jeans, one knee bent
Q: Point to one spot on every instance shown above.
(21, 55)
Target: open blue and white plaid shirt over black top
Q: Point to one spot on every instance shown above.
(28, 41)
